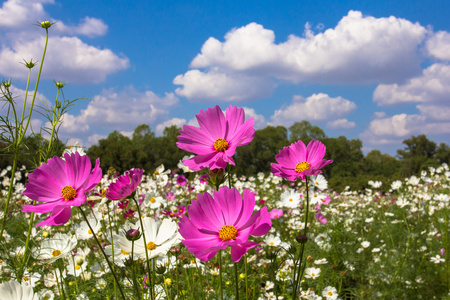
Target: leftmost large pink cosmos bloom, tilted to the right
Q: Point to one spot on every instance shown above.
(61, 184)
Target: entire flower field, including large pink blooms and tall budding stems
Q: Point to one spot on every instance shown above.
(71, 231)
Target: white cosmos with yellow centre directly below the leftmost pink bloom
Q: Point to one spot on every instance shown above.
(60, 245)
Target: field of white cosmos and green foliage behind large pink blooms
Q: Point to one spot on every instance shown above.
(366, 244)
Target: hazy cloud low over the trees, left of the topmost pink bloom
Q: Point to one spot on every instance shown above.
(113, 110)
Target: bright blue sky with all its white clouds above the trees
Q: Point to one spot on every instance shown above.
(374, 70)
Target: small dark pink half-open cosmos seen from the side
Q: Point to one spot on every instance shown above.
(125, 185)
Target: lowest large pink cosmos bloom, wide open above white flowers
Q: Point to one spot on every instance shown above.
(224, 220)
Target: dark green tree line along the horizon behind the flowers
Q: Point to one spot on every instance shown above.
(350, 167)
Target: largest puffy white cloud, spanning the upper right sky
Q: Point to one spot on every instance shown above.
(348, 53)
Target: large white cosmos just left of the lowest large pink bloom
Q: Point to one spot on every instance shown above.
(159, 236)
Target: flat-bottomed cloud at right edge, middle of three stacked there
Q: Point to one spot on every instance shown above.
(433, 86)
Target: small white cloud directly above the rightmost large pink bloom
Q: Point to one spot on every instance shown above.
(317, 107)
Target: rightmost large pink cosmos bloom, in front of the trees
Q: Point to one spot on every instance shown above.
(298, 161)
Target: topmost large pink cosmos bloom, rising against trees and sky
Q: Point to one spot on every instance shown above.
(216, 140)
